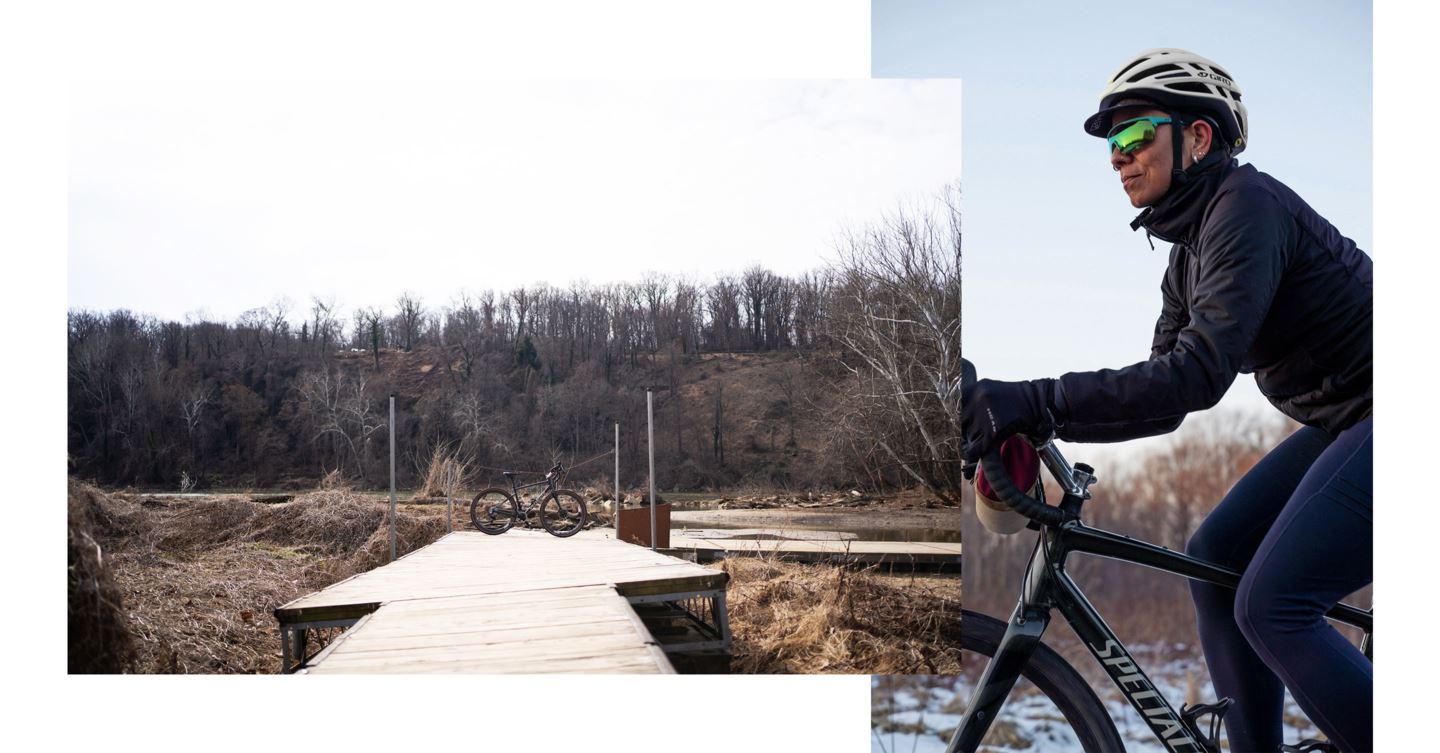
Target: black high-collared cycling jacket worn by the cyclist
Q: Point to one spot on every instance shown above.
(1258, 283)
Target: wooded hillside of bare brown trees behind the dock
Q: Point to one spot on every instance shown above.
(846, 376)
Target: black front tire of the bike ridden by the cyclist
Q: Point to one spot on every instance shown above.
(1055, 677)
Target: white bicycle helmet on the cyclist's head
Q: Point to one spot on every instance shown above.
(1179, 81)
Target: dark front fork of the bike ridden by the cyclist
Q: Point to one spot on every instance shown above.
(1023, 636)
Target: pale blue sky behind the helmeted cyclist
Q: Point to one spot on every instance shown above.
(1045, 215)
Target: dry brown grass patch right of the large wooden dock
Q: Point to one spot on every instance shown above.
(822, 618)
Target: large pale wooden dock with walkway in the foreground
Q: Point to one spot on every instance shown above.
(519, 603)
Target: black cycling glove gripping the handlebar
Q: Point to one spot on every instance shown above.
(993, 411)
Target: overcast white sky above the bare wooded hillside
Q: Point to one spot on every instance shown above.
(227, 197)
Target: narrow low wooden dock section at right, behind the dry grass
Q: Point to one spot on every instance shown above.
(709, 546)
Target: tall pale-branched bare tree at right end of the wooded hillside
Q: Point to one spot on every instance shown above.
(898, 317)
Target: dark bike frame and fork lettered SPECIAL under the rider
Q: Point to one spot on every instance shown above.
(1050, 588)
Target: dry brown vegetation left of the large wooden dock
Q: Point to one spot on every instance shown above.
(195, 582)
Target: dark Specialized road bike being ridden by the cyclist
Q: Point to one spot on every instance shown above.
(1014, 649)
